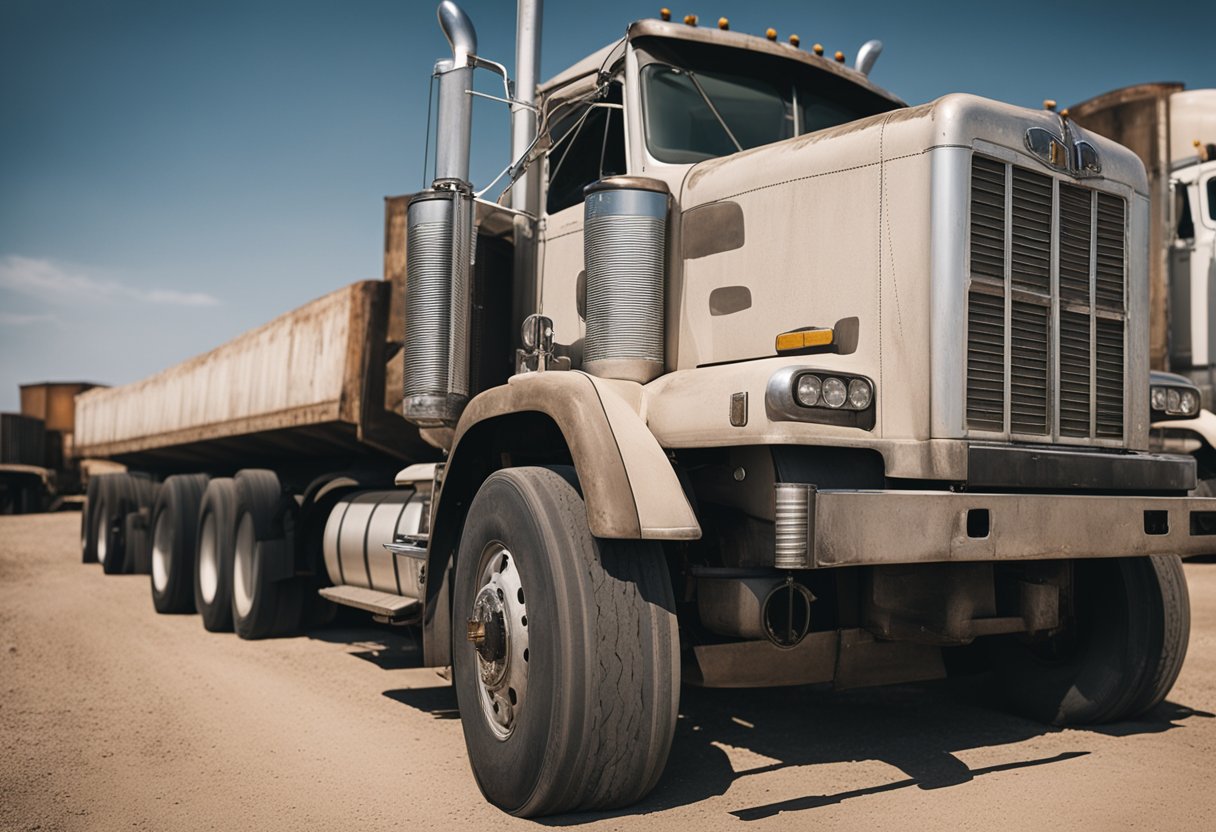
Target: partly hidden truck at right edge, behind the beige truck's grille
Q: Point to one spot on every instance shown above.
(1174, 133)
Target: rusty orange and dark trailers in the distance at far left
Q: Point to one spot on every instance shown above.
(40, 469)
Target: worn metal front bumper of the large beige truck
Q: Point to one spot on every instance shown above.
(860, 529)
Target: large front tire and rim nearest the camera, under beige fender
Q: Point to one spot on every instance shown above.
(570, 699)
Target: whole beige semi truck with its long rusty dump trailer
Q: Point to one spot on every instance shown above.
(753, 375)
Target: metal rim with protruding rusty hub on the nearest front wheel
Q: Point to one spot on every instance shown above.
(499, 632)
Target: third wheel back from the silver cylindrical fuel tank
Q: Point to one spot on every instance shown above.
(173, 532)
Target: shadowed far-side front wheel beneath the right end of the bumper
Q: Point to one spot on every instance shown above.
(1123, 655)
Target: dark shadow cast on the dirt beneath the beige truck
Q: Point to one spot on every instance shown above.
(916, 729)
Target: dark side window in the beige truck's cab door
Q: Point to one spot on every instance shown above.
(588, 145)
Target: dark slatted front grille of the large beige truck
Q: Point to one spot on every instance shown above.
(1046, 307)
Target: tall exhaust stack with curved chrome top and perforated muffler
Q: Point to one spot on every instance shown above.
(441, 248)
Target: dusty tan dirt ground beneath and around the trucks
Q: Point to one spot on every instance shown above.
(116, 718)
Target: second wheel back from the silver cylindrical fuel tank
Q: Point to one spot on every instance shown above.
(213, 555)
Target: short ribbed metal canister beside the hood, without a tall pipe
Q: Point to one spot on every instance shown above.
(626, 248)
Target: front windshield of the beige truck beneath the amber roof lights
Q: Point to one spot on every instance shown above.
(695, 114)
